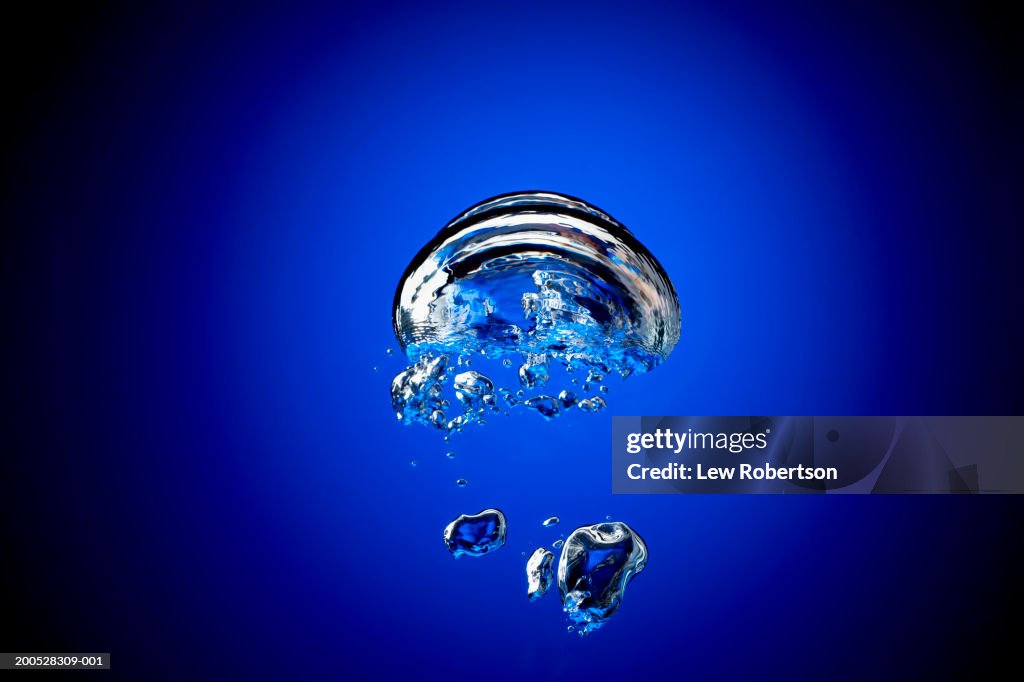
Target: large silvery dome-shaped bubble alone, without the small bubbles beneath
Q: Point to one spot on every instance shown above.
(543, 276)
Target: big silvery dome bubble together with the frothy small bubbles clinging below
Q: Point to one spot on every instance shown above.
(529, 279)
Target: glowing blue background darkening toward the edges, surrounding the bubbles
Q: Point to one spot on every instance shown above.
(205, 218)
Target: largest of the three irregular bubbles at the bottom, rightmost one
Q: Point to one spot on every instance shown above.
(596, 565)
